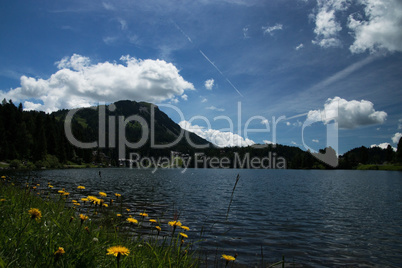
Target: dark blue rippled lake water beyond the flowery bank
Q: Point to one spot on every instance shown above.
(312, 217)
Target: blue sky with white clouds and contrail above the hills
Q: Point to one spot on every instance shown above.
(306, 73)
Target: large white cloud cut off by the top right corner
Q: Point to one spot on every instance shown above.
(380, 28)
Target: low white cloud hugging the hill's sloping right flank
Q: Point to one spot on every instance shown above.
(219, 138)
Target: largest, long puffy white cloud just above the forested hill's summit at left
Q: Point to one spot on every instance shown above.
(78, 83)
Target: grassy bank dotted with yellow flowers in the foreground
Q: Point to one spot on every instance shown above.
(42, 226)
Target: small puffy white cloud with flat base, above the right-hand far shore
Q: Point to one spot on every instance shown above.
(348, 114)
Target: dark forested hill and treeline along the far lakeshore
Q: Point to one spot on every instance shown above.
(34, 140)
